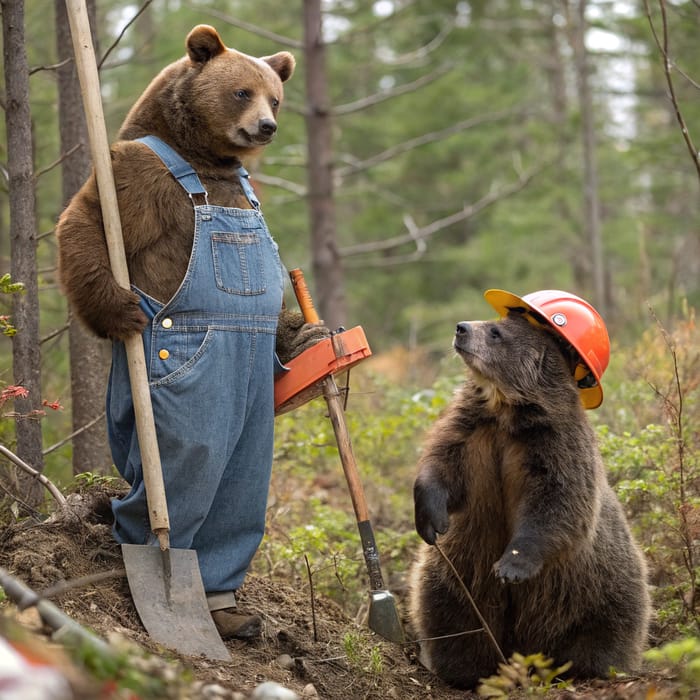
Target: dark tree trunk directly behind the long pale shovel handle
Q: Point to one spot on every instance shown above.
(89, 355)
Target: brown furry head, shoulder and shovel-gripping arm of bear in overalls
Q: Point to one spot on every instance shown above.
(215, 107)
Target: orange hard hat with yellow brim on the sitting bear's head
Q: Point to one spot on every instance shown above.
(576, 321)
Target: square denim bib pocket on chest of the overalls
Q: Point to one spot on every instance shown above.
(238, 262)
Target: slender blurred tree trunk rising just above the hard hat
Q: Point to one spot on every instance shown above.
(591, 200)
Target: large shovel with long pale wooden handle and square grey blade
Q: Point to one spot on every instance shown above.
(166, 584)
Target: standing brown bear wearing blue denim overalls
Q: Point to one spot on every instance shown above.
(206, 296)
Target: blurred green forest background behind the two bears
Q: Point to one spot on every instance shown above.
(427, 150)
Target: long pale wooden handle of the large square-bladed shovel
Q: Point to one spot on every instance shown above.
(99, 149)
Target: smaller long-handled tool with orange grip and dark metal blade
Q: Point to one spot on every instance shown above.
(383, 615)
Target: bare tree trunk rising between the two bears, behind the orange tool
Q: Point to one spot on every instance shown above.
(326, 262)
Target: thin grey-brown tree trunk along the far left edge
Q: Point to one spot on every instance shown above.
(26, 350)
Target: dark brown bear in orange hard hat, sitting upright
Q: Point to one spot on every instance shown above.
(512, 479)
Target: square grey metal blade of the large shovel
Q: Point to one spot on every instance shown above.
(170, 600)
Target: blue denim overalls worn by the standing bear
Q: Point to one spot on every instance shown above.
(210, 358)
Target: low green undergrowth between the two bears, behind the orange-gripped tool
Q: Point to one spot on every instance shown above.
(311, 514)
